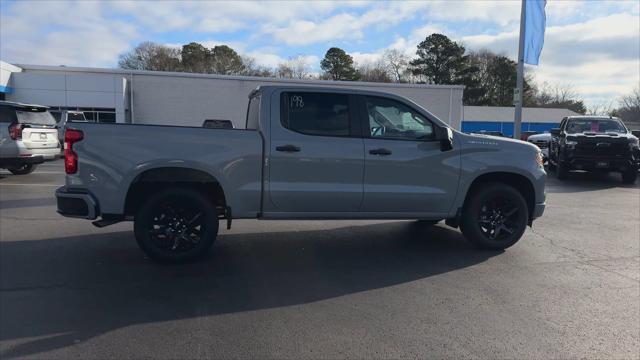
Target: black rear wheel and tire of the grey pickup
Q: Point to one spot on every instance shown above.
(176, 225)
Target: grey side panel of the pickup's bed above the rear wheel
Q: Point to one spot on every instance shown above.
(112, 156)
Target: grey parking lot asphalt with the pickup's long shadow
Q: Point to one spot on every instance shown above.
(334, 289)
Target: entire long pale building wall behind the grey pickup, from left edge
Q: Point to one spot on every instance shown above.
(188, 99)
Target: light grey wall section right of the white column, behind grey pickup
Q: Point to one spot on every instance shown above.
(189, 100)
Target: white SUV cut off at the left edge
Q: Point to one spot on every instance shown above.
(28, 137)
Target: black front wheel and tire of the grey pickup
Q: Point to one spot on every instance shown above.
(499, 229)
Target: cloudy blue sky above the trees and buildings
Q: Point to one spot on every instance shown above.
(591, 46)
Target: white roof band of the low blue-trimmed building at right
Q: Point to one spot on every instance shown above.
(506, 114)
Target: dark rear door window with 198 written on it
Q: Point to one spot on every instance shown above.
(321, 114)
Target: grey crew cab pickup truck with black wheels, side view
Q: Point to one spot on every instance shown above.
(306, 153)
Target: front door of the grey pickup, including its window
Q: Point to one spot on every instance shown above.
(405, 169)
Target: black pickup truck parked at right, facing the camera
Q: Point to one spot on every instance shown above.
(594, 143)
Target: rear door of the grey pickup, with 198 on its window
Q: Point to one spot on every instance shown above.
(316, 155)
